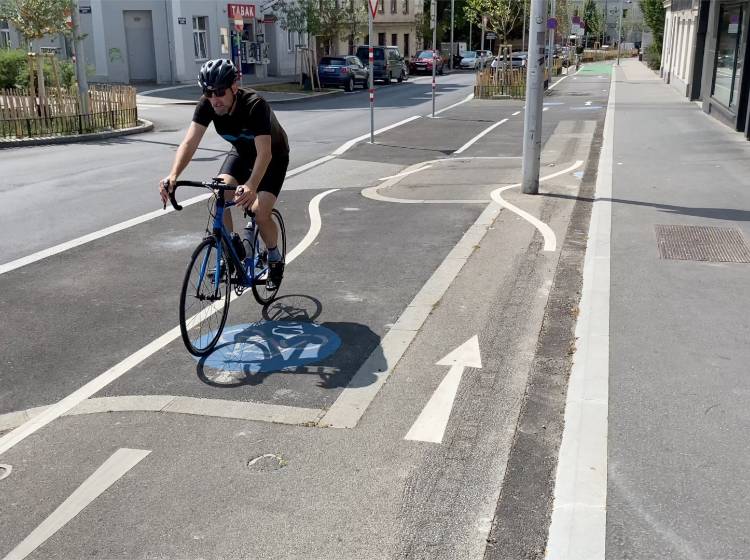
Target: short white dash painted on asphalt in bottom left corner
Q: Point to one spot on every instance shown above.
(105, 476)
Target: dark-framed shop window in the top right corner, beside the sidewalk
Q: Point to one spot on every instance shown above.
(727, 65)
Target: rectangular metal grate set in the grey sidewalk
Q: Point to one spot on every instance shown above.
(702, 243)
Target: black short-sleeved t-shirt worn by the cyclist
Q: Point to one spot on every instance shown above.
(252, 116)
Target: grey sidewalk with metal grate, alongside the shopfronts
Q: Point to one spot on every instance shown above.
(679, 321)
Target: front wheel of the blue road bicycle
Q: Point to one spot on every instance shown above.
(204, 300)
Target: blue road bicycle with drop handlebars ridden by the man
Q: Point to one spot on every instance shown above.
(220, 263)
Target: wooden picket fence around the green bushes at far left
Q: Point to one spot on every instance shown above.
(23, 114)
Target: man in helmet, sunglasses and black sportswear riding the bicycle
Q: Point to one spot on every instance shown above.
(258, 160)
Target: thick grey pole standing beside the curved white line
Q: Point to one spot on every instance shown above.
(532, 122)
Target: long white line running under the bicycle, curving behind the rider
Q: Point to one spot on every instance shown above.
(56, 410)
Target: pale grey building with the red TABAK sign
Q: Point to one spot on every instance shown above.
(166, 41)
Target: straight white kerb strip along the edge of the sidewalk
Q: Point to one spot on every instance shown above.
(578, 527)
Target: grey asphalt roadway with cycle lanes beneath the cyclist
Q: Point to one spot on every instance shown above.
(236, 466)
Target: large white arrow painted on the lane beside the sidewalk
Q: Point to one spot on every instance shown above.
(431, 424)
